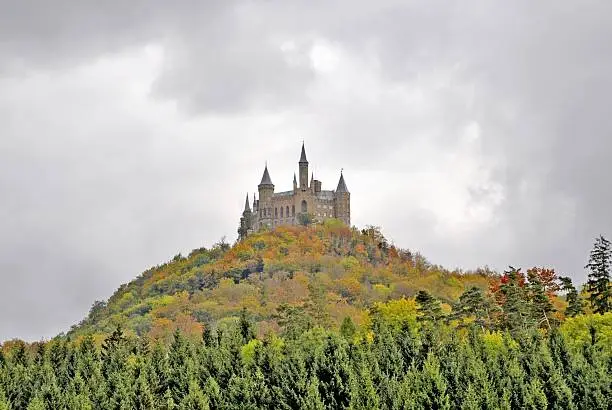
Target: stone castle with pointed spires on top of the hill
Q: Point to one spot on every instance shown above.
(304, 204)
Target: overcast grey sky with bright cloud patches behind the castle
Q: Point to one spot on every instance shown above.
(478, 133)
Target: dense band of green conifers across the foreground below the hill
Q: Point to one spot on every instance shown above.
(394, 364)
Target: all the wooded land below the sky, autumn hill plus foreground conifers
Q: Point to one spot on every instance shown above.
(326, 317)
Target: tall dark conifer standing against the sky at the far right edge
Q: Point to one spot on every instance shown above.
(598, 284)
